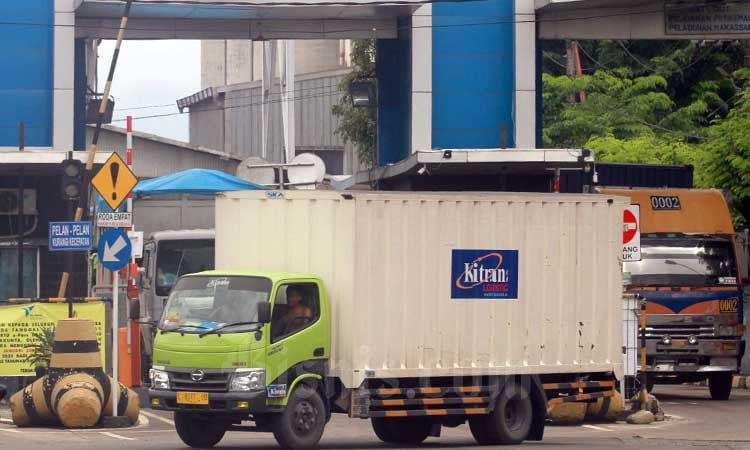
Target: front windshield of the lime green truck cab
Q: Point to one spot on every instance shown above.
(197, 304)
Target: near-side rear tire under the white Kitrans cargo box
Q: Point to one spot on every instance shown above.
(510, 422)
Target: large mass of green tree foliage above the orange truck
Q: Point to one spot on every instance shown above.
(669, 102)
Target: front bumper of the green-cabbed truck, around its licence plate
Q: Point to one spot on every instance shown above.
(218, 402)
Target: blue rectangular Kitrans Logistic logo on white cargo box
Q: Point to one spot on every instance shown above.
(484, 274)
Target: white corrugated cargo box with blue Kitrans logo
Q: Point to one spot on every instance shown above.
(445, 284)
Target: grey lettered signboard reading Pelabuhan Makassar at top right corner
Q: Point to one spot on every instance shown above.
(719, 18)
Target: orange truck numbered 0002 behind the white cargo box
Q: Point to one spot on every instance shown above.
(690, 279)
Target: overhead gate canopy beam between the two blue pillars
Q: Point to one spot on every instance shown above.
(244, 19)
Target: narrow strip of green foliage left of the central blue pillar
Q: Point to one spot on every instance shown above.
(358, 125)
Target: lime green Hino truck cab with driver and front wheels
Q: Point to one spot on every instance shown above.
(234, 346)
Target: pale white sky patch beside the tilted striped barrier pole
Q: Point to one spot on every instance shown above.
(152, 73)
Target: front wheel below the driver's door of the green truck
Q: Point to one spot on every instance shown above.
(301, 424)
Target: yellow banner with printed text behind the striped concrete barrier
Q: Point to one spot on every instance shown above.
(19, 323)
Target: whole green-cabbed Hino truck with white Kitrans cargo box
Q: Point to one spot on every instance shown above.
(447, 324)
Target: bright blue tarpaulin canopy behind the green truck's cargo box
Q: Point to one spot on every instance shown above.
(195, 182)
